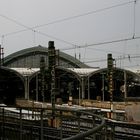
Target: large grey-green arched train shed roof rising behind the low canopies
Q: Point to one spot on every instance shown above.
(30, 57)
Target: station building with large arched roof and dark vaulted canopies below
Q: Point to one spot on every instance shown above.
(20, 77)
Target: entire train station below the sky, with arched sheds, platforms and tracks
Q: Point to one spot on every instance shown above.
(44, 92)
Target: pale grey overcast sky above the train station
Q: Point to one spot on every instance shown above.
(76, 26)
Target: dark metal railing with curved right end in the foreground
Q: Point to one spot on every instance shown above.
(38, 123)
